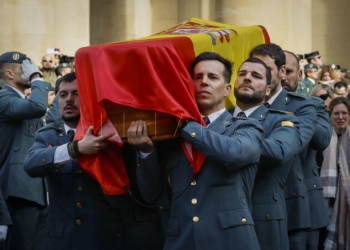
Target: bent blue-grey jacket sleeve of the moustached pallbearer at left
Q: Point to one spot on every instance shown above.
(40, 158)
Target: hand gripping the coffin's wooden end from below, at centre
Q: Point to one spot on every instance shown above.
(138, 136)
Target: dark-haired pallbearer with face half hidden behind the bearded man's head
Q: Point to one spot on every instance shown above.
(296, 195)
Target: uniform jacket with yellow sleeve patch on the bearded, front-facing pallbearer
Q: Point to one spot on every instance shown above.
(280, 147)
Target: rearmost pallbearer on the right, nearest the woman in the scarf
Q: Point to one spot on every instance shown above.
(320, 141)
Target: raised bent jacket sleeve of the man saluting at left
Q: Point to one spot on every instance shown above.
(14, 108)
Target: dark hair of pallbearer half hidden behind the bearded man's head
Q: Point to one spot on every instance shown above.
(272, 50)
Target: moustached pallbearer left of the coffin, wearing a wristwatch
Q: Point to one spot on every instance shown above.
(80, 215)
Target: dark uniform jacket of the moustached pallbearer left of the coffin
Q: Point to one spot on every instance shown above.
(80, 215)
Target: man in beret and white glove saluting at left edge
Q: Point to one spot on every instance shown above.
(25, 196)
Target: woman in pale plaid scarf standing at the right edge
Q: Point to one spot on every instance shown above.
(335, 176)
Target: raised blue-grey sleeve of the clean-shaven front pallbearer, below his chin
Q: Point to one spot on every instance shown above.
(241, 148)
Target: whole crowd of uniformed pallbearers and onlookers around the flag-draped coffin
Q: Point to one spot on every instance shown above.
(275, 175)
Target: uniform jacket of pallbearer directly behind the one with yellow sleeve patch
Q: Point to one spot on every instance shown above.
(296, 195)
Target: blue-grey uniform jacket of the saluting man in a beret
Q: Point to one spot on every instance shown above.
(18, 124)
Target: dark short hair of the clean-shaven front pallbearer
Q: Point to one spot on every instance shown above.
(212, 56)
